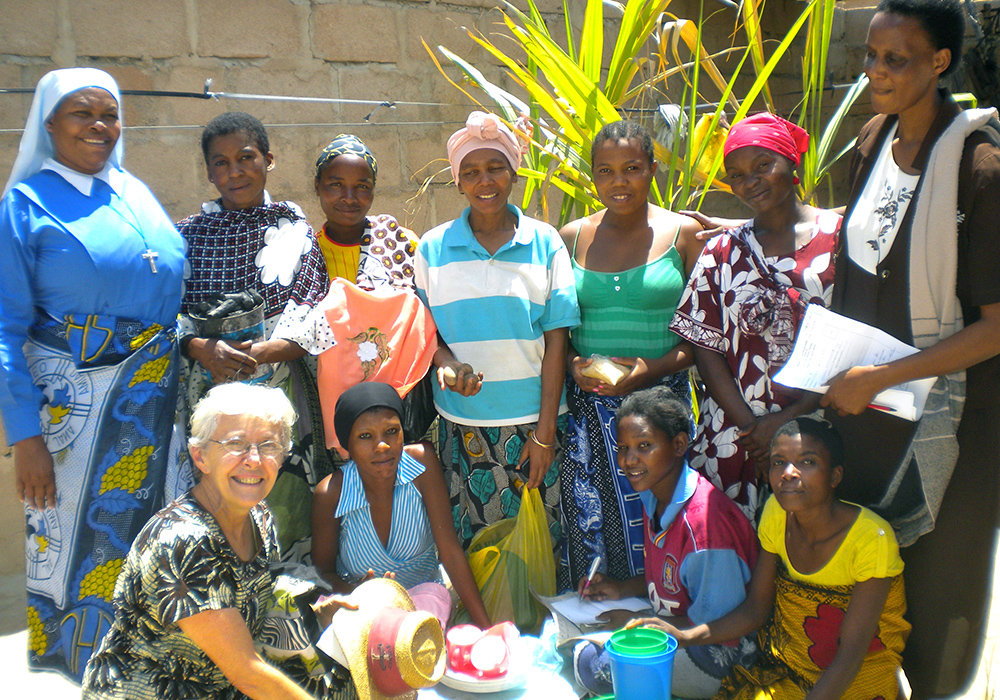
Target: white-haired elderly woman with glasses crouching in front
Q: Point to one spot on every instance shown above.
(190, 601)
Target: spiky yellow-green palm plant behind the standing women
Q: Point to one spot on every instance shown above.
(570, 97)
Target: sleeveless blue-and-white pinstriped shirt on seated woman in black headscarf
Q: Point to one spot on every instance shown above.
(411, 553)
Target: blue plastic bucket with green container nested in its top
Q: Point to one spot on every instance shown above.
(642, 676)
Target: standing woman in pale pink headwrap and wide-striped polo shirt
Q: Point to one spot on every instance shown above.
(500, 288)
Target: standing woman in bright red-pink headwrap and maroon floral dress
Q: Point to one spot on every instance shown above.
(744, 302)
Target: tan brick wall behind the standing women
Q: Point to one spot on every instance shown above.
(353, 49)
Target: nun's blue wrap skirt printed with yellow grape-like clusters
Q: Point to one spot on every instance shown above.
(110, 388)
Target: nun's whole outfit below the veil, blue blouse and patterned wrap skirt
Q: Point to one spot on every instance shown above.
(88, 360)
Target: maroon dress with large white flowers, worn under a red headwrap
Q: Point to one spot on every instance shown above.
(747, 307)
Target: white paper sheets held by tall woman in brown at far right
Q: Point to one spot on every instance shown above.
(828, 343)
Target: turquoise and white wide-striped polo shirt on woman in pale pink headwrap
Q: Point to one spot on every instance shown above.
(493, 311)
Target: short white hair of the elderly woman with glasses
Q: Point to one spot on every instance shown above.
(237, 399)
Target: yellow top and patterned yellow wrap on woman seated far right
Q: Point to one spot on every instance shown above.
(801, 638)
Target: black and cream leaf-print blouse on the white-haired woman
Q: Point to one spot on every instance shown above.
(180, 565)
